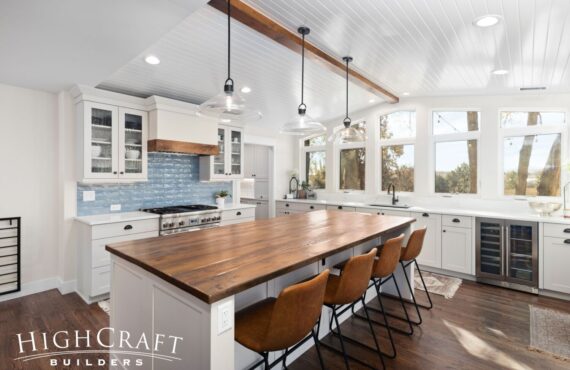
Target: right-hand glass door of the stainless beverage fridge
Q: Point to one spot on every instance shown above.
(522, 253)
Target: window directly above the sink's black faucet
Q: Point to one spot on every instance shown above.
(397, 139)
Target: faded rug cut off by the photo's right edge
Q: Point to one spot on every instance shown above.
(550, 331)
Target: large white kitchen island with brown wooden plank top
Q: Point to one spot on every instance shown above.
(189, 285)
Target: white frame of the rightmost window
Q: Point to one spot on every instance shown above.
(506, 132)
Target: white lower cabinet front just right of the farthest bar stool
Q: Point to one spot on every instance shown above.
(431, 250)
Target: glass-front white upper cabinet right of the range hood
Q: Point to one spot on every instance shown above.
(228, 163)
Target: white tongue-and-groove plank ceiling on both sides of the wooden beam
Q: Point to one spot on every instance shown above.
(424, 47)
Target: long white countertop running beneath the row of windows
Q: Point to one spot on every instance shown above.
(520, 216)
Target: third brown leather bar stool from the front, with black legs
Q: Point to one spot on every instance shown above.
(382, 272)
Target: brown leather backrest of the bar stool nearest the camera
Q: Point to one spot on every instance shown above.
(296, 311)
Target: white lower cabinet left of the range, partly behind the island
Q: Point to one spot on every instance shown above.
(94, 271)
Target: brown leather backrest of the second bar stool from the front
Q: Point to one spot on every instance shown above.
(355, 277)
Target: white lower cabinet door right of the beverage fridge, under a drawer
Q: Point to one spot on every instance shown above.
(556, 257)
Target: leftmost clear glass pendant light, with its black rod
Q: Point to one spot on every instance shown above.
(228, 106)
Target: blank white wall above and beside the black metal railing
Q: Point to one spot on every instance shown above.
(29, 185)
